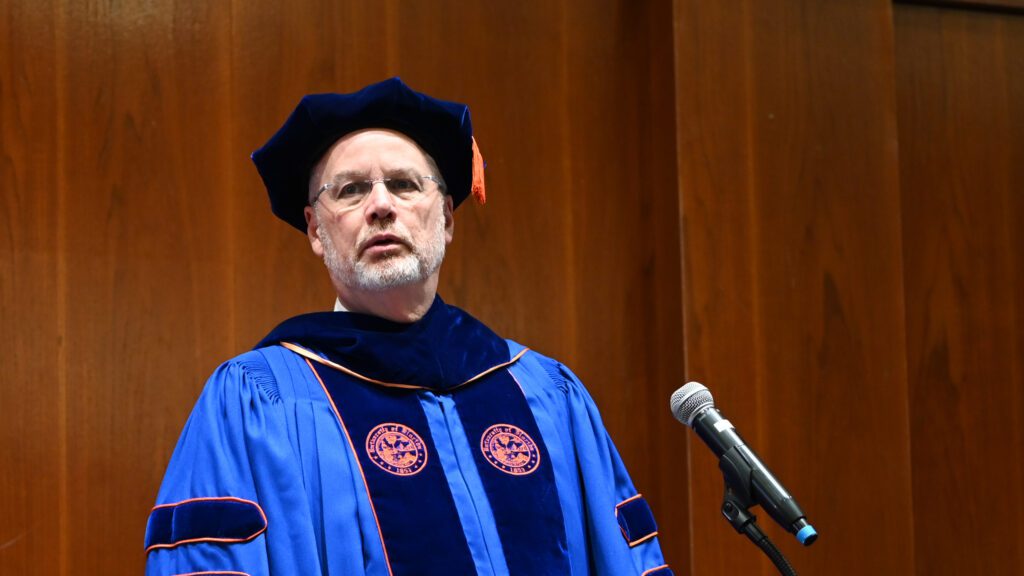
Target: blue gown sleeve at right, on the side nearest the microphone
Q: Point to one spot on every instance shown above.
(620, 525)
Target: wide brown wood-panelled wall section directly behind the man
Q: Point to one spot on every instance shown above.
(151, 254)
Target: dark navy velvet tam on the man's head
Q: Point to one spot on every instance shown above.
(442, 129)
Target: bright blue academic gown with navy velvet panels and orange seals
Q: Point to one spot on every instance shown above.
(349, 445)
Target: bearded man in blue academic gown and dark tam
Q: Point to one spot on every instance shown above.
(397, 435)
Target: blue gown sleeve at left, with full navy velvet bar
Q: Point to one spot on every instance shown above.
(233, 500)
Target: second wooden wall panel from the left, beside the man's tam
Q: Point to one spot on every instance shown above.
(147, 306)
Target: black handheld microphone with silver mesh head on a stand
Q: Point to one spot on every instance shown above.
(746, 476)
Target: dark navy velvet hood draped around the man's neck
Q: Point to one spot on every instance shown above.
(443, 350)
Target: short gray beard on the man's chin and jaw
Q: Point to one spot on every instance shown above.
(394, 272)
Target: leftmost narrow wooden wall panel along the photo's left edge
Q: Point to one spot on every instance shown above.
(33, 377)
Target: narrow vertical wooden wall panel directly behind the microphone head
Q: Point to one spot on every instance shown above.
(713, 119)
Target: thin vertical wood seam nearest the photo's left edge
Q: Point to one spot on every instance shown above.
(61, 223)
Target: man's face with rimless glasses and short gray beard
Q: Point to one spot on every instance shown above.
(385, 240)
